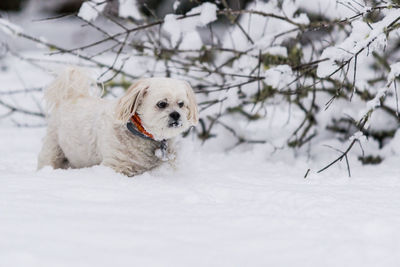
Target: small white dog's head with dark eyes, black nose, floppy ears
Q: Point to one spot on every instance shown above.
(166, 107)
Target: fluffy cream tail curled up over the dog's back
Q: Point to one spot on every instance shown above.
(71, 84)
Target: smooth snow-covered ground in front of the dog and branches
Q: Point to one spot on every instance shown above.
(215, 209)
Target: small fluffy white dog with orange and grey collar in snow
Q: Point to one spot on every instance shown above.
(131, 135)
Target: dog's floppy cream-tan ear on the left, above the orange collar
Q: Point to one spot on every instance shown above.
(128, 103)
